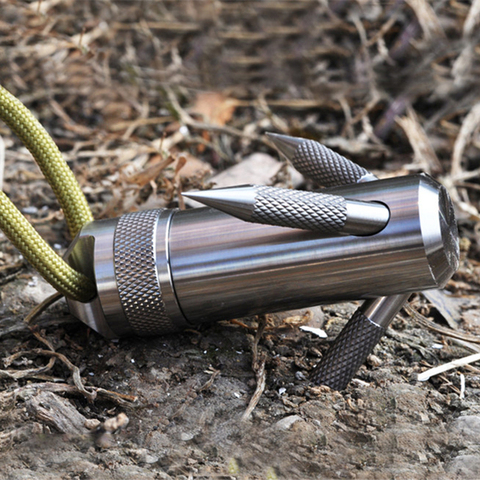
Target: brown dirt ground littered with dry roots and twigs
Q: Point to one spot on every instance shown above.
(148, 99)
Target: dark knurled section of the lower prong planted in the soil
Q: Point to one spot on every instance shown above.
(348, 352)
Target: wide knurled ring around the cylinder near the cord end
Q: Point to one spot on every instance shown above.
(136, 273)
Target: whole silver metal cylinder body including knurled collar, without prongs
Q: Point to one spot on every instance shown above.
(203, 265)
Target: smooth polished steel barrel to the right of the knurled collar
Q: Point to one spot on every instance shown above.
(222, 268)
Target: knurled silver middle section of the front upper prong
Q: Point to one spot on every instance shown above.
(296, 209)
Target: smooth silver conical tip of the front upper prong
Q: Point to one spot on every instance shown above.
(236, 201)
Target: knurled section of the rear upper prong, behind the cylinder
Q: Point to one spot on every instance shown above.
(325, 166)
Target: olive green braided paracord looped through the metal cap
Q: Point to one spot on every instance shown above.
(77, 213)
